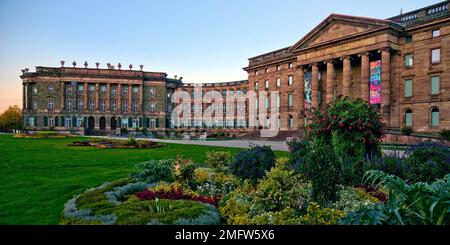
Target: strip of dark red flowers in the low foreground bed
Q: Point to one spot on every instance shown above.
(175, 193)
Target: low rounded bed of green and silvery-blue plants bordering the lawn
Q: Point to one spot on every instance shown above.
(115, 203)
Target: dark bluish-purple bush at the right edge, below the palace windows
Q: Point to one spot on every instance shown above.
(427, 162)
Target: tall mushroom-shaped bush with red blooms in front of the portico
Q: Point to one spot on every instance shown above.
(352, 129)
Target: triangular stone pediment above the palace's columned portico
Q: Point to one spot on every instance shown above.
(337, 27)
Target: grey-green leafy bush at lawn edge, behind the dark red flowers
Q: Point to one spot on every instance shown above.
(153, 171)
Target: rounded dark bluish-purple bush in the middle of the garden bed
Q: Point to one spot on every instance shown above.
(251, 164)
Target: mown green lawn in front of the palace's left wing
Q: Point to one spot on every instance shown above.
(37, 176)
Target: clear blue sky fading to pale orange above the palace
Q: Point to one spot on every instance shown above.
(200, 40)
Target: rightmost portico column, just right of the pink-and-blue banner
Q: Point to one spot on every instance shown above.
(386, 84)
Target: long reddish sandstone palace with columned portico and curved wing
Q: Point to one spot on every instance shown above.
(400, 65)
